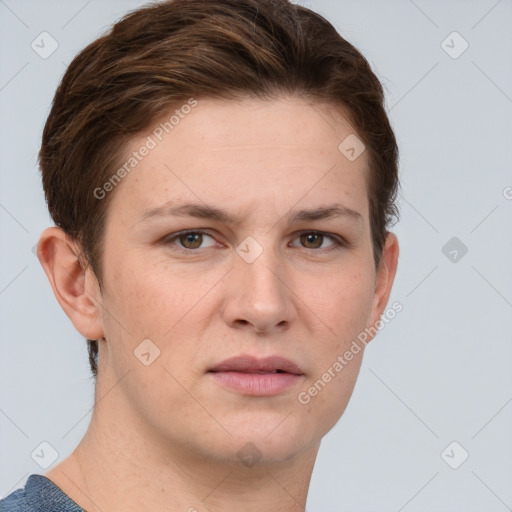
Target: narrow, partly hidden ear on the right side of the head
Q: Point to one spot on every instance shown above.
(385, 277)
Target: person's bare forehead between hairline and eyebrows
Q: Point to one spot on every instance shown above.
(261, 154)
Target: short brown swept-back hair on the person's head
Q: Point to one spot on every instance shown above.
(161, 55)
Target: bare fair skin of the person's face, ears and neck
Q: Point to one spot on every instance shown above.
(166, 436)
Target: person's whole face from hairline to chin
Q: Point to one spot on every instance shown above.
(243, 232)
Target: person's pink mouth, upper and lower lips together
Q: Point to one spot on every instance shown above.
(252, 376)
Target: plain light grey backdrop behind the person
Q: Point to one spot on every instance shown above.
(439, 372)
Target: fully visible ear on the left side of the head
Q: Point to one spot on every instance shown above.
(75, 286)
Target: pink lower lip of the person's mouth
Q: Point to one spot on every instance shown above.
(257, 384)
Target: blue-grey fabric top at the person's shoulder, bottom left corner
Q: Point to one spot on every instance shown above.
(39, 495)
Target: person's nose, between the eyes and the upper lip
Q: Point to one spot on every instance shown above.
(259, 296)
